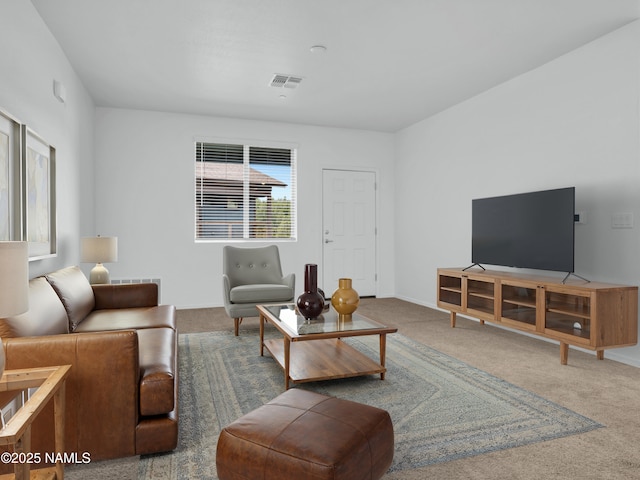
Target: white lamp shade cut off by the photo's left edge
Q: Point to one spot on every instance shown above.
(14, 278)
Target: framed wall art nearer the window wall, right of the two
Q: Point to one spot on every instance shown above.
(39, 197)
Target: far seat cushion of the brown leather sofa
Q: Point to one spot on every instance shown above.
(129, 318)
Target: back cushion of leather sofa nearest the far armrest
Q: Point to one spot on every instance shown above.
(75, 292)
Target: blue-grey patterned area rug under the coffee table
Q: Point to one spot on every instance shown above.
(442, 409)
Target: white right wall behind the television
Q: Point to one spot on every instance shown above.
(571, 122)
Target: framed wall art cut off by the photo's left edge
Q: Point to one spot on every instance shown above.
(10, 185)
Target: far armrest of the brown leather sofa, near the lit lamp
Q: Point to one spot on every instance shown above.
(129, 295)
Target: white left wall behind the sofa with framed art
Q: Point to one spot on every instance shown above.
(31, 60)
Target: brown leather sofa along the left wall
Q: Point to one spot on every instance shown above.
(122, 392)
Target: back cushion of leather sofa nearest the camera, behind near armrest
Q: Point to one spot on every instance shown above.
(46, 314)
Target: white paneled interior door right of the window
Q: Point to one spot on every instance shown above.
(349, 230)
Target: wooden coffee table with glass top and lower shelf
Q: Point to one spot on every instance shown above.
(312, 350)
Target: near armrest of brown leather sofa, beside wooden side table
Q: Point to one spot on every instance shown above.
(101, 408)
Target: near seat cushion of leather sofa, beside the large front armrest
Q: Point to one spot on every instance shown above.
(157, 352)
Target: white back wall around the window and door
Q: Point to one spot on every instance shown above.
(145, 194)
